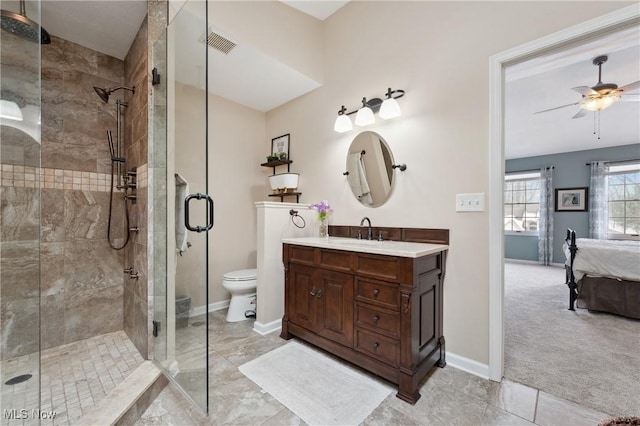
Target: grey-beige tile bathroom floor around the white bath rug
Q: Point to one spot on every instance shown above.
(449, 396)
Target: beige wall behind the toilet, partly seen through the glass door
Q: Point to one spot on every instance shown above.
(236, 148)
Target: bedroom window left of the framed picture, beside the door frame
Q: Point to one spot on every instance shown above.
(522, 203)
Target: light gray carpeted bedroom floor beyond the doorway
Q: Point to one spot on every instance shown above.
(587, 357)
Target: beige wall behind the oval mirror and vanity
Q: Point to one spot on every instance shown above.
(438, 52)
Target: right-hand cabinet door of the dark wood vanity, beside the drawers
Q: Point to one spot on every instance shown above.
(335, 319)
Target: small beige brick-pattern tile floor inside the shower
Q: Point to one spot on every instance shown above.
(74, 378)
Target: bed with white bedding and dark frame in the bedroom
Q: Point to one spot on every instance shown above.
(603, 275)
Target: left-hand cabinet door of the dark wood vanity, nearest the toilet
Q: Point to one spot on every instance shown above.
(301, 302)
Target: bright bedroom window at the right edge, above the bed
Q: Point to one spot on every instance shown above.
(624, 200)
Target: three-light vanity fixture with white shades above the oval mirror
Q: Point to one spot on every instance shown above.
(387, 109)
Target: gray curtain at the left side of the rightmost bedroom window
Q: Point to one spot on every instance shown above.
(598, 200)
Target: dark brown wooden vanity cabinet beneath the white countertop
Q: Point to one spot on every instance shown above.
(381, 313)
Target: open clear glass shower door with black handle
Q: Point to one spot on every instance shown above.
(180, 131)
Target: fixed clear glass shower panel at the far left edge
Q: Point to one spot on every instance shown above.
(20, 224)
